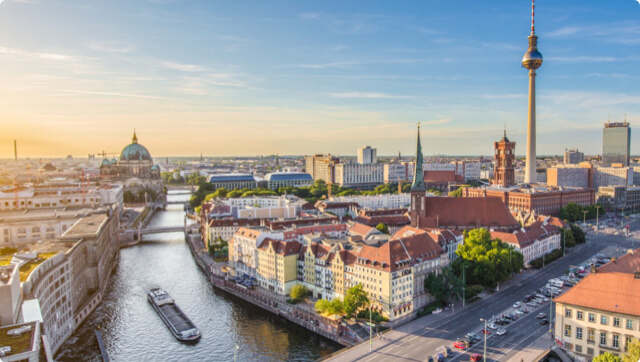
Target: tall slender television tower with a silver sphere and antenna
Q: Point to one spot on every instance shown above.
(532, 60)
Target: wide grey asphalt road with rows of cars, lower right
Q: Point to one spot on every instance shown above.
(427, 341)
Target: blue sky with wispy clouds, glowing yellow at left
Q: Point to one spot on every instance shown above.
(247, 78)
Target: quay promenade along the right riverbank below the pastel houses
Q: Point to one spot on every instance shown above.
(302, 315)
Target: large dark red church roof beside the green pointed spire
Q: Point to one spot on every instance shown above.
(466, 211)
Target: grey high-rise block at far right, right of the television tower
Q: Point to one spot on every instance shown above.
(616, 143)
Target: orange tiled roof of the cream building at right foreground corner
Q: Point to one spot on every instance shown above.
(612, 292)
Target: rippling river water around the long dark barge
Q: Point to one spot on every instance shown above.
(132, 331)
